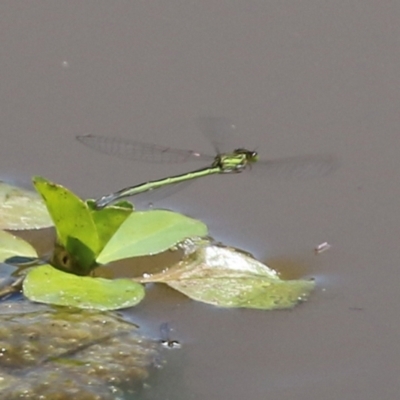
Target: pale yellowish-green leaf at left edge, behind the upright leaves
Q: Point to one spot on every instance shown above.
(22, 209)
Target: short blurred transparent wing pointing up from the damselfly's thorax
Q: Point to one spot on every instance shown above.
(221, 132)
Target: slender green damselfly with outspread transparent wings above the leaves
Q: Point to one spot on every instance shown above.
(235, 161)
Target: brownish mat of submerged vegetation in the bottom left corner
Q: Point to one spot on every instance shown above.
(60, 353)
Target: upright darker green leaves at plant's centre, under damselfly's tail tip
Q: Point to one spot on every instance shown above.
(81, 230)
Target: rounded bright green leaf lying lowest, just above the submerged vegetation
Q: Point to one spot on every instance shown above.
(46, 284)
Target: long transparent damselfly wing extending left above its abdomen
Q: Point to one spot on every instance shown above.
(133, 150)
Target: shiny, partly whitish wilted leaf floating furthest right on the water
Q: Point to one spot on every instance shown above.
(226, 277)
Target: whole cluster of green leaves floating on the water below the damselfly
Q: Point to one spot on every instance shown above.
(88, 237)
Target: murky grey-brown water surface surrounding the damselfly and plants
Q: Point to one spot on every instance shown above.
(297, 78)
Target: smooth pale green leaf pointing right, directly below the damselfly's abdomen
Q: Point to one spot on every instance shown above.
(148, 233)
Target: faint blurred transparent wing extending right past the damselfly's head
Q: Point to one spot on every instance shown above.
(301, 167)
